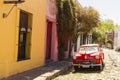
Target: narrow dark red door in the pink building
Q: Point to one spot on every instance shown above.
(49, 37)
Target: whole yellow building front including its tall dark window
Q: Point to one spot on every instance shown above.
(22, 34)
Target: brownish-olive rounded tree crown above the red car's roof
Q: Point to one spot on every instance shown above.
(88, 18)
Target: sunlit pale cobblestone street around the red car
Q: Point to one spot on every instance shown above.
(111, 70)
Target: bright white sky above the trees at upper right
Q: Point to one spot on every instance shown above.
(108, 9)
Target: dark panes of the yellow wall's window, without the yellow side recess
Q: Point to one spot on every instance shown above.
(23, 24)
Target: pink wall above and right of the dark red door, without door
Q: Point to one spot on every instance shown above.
(51, 16)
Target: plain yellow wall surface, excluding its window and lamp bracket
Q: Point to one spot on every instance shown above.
(9, 29)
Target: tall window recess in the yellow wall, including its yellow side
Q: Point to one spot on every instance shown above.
(24, 46)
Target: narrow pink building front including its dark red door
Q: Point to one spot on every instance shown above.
(51, 31)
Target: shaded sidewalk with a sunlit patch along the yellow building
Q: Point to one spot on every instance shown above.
(46, 72)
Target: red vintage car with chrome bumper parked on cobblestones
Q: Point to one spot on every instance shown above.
(89, 55)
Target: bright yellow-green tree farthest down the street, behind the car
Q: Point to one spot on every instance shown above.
(105, 26)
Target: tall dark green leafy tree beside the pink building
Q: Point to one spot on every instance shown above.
(66, 24)
